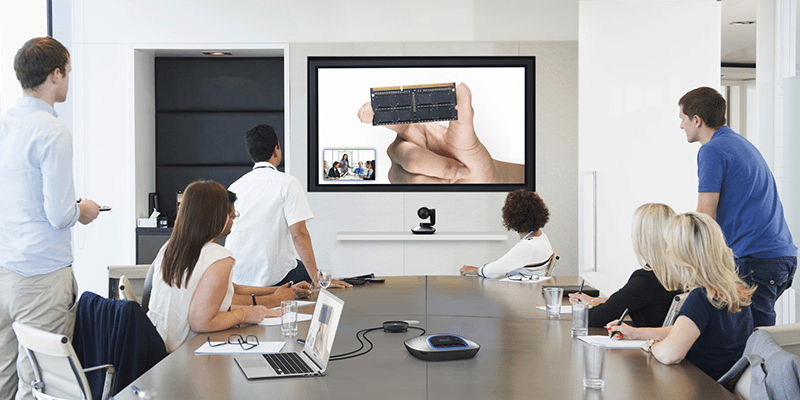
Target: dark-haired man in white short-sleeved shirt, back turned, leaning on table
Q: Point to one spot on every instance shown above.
(273, 212)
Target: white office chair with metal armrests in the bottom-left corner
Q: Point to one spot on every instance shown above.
(58, 373)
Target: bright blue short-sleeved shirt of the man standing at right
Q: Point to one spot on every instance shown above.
(749, 212)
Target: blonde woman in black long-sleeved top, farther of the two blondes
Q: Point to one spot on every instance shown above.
(645, 298)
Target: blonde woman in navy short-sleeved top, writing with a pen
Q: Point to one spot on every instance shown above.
(715, 321)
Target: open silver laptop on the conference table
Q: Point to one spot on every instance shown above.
(313, 360)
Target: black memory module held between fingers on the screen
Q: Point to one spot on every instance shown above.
(411, 104)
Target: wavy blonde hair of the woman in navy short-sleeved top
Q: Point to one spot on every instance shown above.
(699, 257)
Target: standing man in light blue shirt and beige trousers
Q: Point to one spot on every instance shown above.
(37, 286)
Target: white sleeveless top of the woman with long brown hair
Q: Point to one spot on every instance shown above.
(169, 306)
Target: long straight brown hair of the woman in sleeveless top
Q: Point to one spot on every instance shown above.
(202, 216)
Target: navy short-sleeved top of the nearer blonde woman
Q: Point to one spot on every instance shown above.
(723, 335)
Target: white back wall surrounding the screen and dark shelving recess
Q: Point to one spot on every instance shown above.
(113, 45)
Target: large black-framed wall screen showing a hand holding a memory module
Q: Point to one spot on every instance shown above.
(421, 123)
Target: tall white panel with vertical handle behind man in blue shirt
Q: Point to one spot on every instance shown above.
(636, 59)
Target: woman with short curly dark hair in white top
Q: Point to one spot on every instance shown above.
(525, 213)
